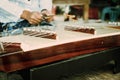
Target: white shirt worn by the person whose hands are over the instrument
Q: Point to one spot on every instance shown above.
(15, 8)
